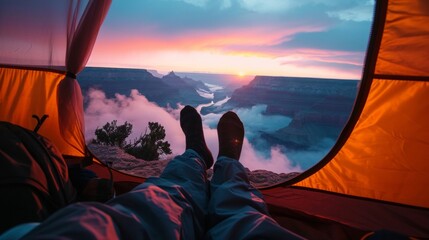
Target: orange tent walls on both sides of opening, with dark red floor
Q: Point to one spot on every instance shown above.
(374, 178)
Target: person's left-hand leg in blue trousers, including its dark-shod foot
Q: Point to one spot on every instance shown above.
(172, 206)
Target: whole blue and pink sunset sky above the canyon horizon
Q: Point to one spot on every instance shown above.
(314, 38)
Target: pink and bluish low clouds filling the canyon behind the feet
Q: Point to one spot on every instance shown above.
(137, 110)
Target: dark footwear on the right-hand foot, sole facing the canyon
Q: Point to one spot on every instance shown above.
(230, 132)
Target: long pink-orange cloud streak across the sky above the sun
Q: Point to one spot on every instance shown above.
(224, 40)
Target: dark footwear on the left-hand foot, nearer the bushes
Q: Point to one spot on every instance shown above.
(192, 126)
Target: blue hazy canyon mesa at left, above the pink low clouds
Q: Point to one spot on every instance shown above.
(165, 90)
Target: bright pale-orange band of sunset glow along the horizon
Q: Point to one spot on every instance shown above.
(295, 65)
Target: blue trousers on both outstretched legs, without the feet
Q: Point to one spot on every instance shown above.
(180, 204)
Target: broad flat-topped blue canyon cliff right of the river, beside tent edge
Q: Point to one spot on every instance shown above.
(319, 108)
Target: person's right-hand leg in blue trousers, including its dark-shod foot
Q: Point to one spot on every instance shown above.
(236, 209)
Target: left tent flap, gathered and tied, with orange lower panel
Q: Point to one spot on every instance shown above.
(44, 44)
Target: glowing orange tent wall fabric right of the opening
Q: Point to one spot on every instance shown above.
(385, 156)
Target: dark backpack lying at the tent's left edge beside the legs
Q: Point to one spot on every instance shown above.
(34, 180)
